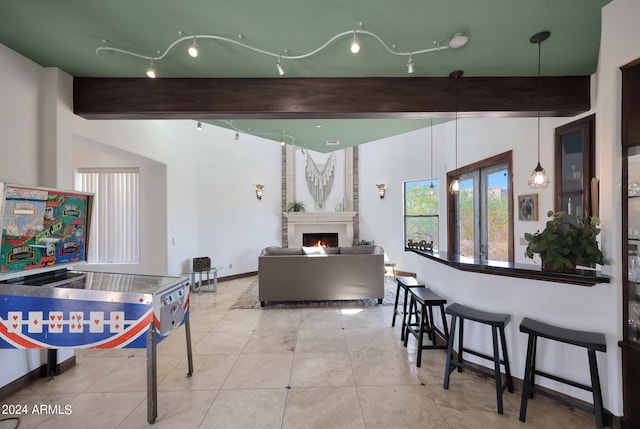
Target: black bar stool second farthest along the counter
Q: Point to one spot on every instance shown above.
(421, 307)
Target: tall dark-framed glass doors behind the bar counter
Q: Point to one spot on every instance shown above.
(480, 222)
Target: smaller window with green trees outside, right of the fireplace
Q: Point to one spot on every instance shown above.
(421, 208)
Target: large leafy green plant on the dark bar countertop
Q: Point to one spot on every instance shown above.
(566, 241)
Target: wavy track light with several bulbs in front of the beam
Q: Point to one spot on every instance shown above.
(455, 41)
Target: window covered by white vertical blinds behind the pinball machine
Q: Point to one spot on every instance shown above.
(115, 233)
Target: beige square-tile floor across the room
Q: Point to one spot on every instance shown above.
(323, 368)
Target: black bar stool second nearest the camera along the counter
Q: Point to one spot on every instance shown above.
(497, 322)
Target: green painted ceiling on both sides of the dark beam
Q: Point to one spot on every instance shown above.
(66, 34)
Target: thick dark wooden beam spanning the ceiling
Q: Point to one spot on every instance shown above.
(327, 98)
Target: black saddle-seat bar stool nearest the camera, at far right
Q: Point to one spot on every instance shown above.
(592, 341)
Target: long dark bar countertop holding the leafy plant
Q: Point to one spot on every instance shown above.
(583, 277)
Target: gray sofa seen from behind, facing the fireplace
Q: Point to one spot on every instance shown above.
(321, 274)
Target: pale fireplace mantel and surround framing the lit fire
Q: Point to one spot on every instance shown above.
(299, 223)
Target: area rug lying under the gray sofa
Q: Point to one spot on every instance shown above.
(249, 299)
